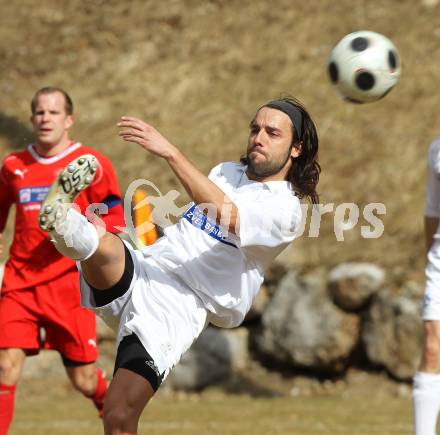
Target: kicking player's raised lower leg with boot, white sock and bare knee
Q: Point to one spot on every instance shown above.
(102, 258)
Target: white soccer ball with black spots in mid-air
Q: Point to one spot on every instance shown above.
(364, 66)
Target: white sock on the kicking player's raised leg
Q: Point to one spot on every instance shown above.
(75, 237)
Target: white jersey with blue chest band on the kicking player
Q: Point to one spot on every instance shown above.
(226, 270)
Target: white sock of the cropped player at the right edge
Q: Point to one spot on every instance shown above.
(426, 402)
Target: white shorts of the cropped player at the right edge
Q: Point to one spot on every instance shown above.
(431, 300)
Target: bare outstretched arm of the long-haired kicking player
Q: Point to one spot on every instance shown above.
(199, 187)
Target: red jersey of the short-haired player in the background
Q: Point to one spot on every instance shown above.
(25, 179)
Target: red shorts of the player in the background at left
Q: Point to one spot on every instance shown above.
(55, 308)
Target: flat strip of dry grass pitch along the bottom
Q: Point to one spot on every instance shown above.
(362, 410)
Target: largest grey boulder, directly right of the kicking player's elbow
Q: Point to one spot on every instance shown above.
(302, 328)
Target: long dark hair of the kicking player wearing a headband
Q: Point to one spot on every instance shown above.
(305, 169)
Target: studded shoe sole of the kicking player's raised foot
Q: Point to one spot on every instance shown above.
(74, 178)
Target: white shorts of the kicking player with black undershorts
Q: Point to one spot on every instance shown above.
(160, 309)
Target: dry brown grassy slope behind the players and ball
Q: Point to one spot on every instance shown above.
(198, 69)
